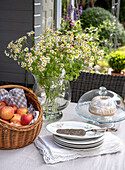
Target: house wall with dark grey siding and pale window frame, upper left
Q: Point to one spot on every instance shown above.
(17, 17)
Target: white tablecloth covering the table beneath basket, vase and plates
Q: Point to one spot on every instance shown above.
(29, 158)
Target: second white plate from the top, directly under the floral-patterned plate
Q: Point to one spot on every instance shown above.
(78, 142)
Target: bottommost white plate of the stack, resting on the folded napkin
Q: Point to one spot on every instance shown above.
(73, 148)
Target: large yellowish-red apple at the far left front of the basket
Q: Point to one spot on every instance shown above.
(7, 112)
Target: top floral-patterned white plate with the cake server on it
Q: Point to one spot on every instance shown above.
(74, 125)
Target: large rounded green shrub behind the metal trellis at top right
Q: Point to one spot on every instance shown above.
(101, 18)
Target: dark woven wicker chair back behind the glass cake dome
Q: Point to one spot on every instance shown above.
(88, 81)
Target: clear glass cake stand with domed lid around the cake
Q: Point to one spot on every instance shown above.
(82, 108)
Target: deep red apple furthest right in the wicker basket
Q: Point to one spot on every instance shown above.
(26, 118)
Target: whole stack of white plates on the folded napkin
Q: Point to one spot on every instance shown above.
(91, 140)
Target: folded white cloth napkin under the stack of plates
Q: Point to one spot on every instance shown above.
(53, 153)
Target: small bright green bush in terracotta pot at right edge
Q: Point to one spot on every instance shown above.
(117, 62)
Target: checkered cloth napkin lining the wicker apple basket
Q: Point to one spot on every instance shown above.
(17, 96)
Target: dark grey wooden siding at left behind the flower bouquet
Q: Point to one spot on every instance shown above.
(16, 19)
